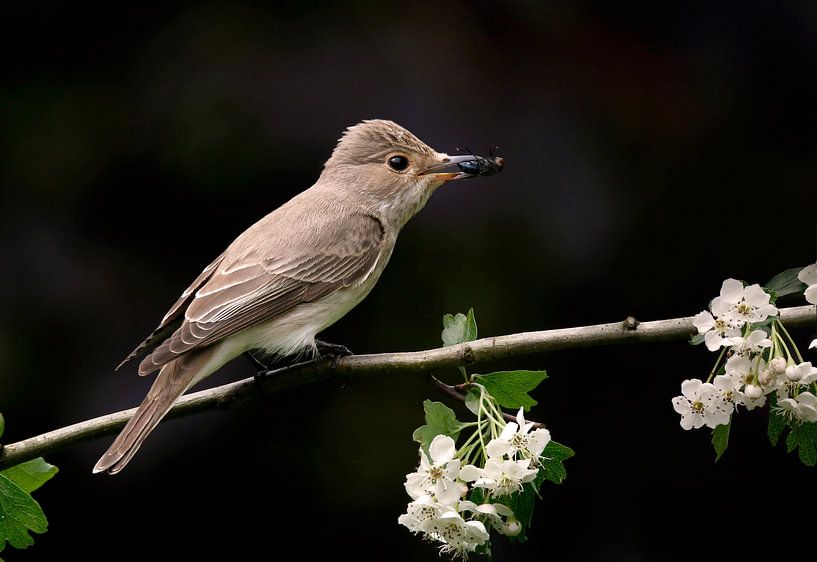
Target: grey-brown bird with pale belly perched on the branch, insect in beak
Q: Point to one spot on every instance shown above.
(293, 273)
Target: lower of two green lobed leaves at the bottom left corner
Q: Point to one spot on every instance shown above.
(19, 514)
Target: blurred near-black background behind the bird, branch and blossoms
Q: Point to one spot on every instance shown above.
(652, 150)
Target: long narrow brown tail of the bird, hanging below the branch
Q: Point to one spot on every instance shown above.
(173, 380)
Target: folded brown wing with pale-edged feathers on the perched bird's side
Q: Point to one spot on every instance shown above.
(271, 280)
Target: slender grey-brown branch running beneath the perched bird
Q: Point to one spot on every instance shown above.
(471, 353)
